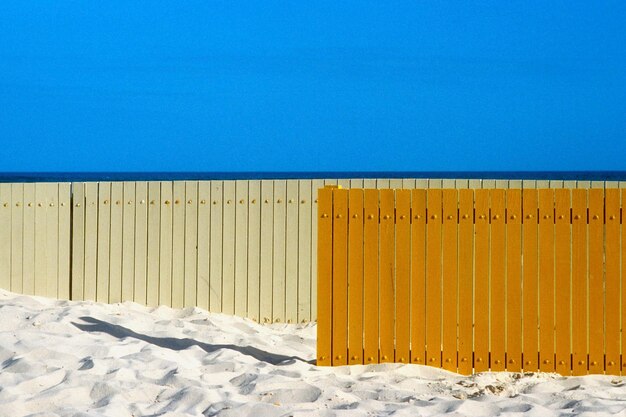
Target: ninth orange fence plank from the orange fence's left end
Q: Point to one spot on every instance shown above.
(449, 278)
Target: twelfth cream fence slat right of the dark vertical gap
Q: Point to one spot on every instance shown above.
(215, 259)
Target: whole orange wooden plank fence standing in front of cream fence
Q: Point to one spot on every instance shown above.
(473, 280)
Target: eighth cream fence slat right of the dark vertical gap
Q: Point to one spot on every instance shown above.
(165, 249)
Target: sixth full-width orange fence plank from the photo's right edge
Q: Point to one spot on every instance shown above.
(530, 283)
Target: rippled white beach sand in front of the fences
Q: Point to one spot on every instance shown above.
(61, 358)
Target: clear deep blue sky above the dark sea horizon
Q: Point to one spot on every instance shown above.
(312, 86)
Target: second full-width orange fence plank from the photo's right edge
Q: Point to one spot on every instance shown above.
(596, 281)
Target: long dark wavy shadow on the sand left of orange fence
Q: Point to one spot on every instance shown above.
(172, 343)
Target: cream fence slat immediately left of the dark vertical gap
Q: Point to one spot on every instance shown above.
(64, 227)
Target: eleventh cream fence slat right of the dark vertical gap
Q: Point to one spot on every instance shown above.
(204, 244)
